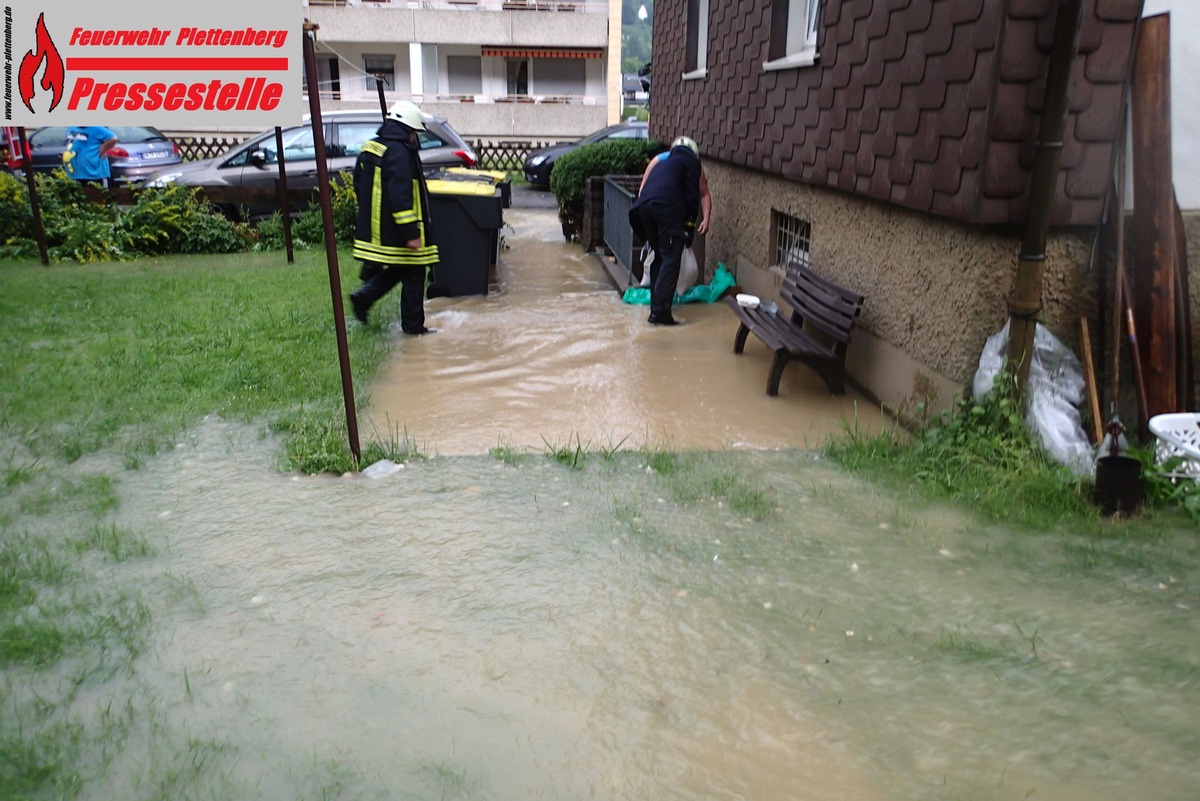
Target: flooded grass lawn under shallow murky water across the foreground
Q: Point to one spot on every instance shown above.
(727, 625)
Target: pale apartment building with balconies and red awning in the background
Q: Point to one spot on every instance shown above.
(526, 70)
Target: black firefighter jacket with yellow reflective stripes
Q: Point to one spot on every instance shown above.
(394, 202)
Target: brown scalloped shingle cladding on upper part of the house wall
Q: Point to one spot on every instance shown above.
(932, 105)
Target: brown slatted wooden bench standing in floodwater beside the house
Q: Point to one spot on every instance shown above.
(817, 333)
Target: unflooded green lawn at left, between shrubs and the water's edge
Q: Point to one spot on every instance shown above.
(92, 352)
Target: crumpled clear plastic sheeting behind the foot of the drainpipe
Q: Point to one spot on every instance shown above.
(1055, 392)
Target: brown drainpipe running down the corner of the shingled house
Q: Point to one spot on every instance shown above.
(1025, 302)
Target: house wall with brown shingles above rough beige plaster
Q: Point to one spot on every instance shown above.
(890, 143)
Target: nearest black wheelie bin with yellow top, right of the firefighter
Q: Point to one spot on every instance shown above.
(467, 219)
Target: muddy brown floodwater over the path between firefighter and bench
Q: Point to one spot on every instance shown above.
(554, 356)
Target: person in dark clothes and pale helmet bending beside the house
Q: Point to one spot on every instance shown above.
(673, 196)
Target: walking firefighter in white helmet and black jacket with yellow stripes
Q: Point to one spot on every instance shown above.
(393, 236)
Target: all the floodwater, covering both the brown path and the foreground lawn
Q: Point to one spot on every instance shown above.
(730, 624)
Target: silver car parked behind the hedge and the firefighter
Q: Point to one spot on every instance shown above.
(255, 164)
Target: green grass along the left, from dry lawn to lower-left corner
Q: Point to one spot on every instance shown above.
(119, 359)
